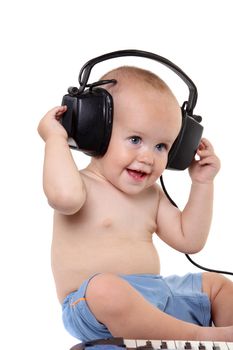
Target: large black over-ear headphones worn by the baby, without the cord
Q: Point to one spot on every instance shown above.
(89, 116)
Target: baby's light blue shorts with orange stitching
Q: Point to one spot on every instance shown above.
(178, 296)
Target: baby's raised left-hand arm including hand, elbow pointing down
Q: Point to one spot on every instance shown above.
(62, 182)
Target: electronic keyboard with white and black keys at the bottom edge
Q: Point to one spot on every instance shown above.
(131, 344)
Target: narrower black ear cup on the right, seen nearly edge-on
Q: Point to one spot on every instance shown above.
(186, 143)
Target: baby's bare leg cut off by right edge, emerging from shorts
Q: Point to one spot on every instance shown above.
(220, 292)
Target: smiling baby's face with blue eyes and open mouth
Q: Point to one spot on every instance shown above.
(146, 123)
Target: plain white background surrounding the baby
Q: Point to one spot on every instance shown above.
(43, 46)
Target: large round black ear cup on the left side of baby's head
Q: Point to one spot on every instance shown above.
(88, 120)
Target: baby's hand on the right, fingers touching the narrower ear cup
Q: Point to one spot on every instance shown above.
(204, 169)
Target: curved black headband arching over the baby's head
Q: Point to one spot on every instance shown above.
(86, 70)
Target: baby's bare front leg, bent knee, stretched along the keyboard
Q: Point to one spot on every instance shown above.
(115, 303)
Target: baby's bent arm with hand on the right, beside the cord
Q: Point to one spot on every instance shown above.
(188, 230)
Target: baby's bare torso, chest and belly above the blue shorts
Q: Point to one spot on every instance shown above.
(112, 232)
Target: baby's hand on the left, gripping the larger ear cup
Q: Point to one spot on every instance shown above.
(50, 125)
